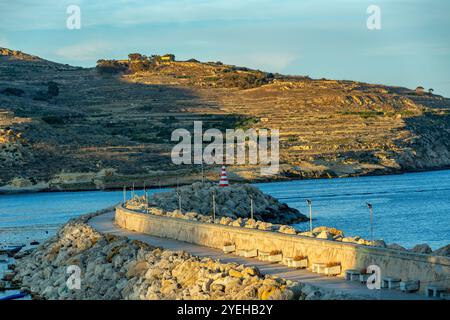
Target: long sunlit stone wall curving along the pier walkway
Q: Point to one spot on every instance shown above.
(404, 265)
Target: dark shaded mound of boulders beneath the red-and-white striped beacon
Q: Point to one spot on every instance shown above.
(232, 202)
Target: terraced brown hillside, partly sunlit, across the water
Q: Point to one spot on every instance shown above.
(70, 128)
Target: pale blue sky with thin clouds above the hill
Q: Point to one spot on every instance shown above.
(322, 39)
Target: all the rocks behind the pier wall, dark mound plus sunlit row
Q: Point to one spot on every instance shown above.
(233, 209)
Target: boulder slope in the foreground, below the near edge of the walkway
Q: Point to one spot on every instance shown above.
(115, 267)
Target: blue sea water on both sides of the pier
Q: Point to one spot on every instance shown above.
(408, 209)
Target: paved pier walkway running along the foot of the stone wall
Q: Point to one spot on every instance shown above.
(105, 224)
